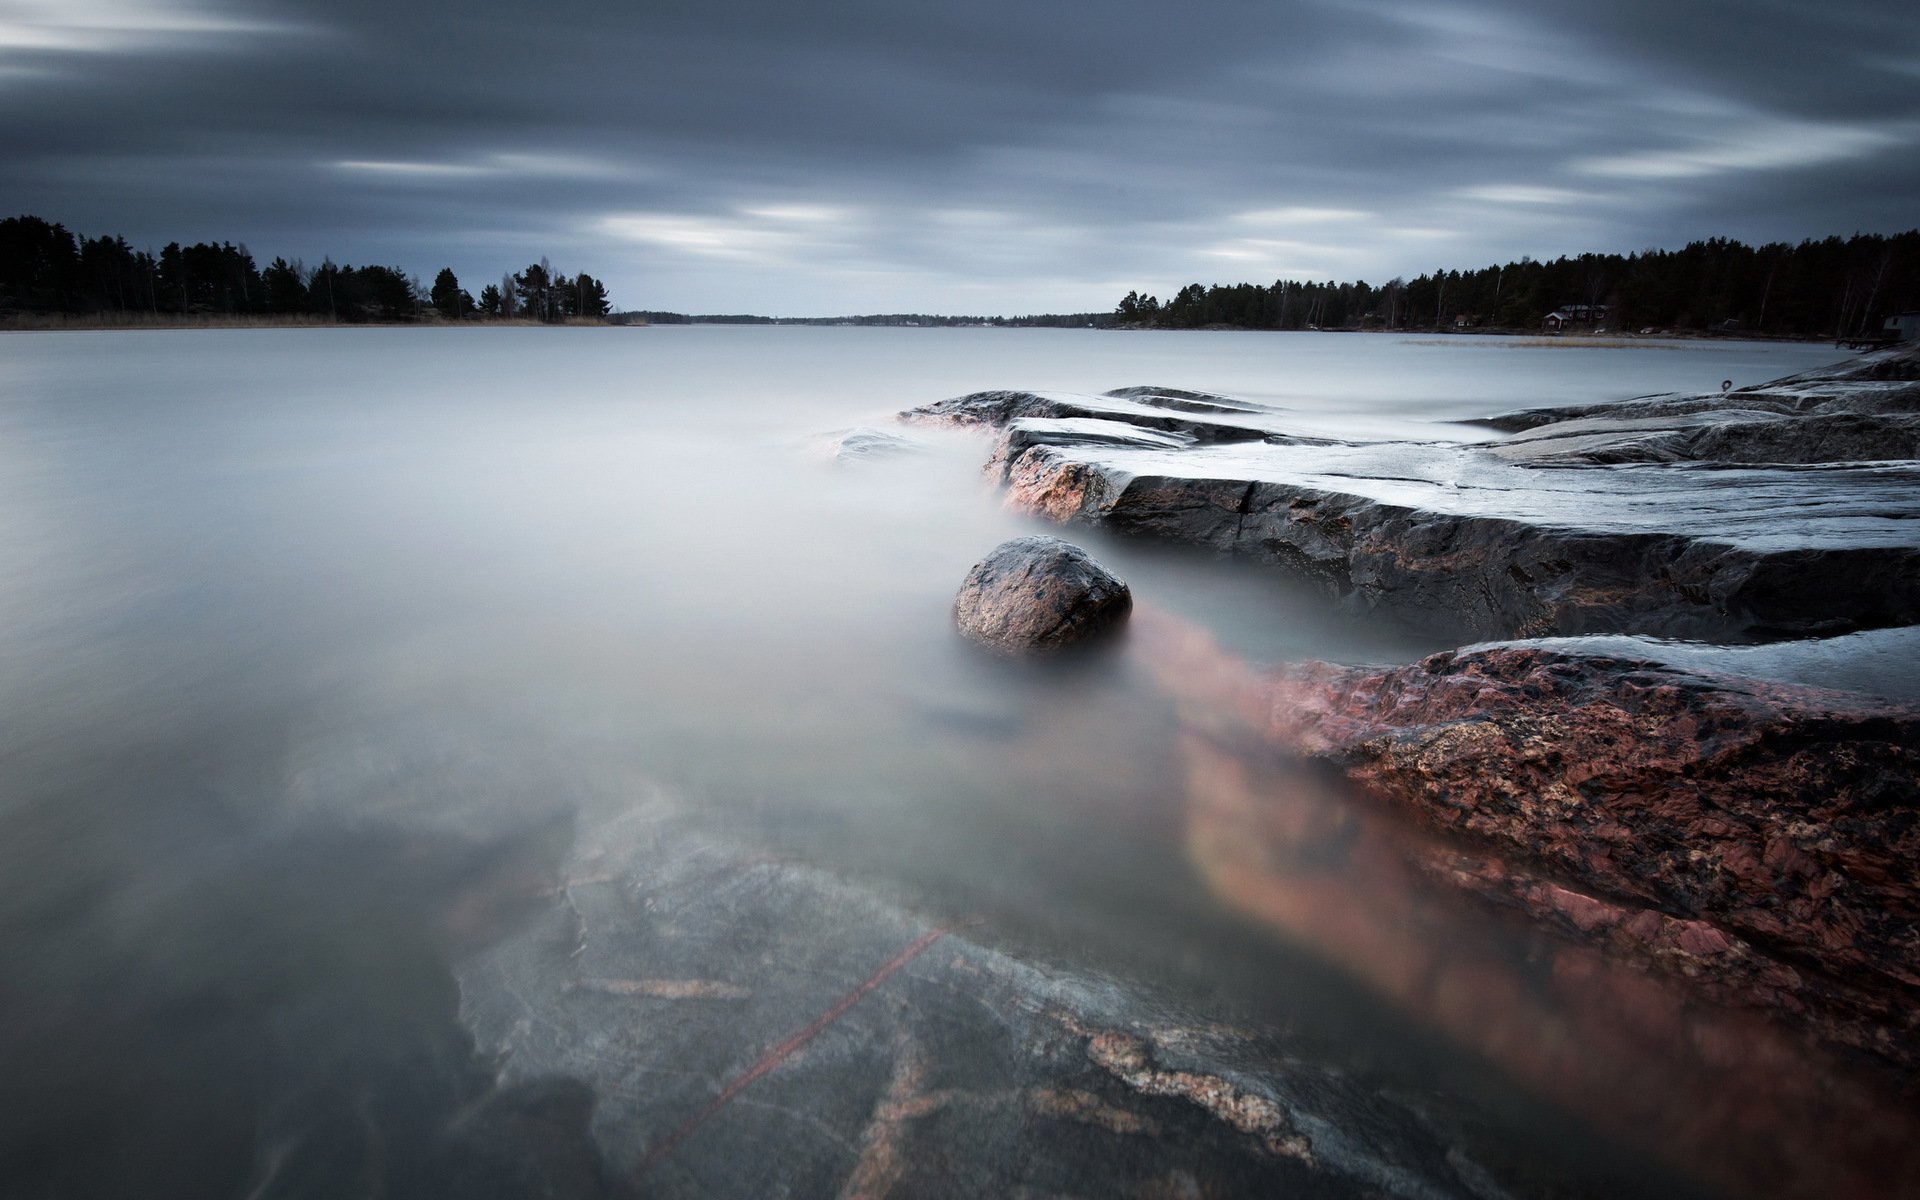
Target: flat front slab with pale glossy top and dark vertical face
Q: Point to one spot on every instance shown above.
(1441, 537)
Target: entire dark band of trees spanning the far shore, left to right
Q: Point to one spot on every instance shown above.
(1835, 289)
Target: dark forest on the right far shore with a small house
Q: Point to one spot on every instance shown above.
(1835, 287)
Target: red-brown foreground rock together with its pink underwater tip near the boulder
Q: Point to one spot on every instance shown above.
(1756, 840)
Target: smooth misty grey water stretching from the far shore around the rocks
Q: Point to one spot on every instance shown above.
(277, 602)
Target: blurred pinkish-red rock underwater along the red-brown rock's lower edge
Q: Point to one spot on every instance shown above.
(1744, 1103)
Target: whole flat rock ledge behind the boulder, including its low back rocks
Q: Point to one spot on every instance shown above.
(1781, 512)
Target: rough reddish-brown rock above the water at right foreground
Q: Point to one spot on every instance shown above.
(1779, 815)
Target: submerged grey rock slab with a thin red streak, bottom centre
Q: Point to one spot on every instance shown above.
(867, 1053)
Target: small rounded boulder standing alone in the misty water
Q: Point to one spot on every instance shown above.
(1040, 596)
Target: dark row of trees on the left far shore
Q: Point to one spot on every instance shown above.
(49, 270)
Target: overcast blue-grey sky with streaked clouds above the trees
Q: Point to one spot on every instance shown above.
(990, 156)
